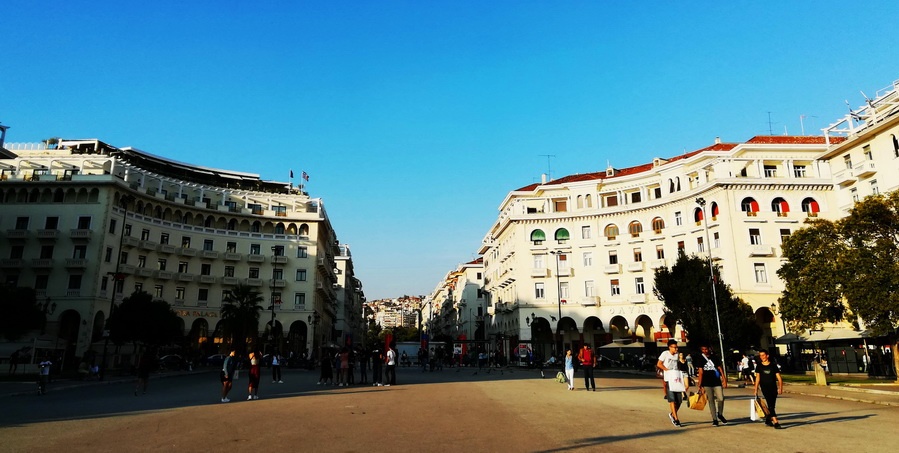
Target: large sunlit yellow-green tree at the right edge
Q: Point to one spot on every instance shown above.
(846, 270)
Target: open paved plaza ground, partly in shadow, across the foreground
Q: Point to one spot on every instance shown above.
(441, 411)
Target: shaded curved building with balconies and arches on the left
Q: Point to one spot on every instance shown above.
(86, 224)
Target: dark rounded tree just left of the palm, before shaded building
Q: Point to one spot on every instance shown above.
(142, 320)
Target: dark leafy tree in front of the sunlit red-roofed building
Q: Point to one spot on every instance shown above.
(687, 295)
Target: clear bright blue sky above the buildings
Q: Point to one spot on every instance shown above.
(415, 119)
